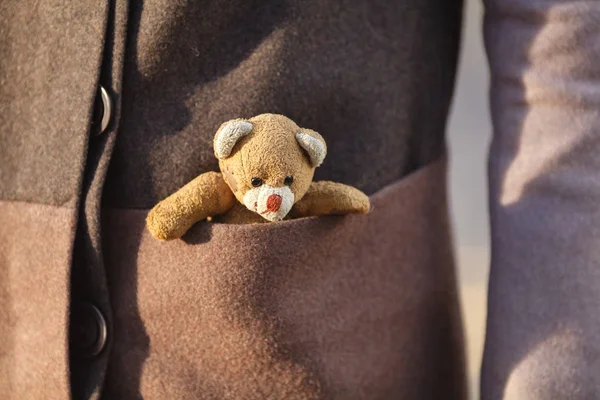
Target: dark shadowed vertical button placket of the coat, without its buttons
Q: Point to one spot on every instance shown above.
(87, 277)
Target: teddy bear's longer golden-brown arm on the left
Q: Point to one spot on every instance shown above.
(205, 196)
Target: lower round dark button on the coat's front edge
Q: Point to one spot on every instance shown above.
(88, 330)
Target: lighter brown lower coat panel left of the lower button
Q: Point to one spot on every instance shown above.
(36, 242)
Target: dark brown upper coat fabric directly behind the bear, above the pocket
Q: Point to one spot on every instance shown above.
(374, 78)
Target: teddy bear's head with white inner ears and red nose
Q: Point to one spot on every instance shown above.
(268, 162)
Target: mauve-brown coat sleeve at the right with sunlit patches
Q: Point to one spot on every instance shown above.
(543, 328)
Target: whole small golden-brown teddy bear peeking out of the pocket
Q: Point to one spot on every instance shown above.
(267, 165)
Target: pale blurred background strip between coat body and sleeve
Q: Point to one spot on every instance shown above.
(469, 134)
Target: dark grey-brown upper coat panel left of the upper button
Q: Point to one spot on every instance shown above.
(50, 55)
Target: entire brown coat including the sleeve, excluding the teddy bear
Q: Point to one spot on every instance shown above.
(357, 307)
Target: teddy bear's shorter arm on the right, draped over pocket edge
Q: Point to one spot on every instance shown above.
(330, 198)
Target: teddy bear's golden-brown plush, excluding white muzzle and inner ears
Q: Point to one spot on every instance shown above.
(270, 152)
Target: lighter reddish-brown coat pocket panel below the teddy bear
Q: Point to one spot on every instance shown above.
(353, 307)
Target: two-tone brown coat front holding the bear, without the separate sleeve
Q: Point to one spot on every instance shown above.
(321, 308)
